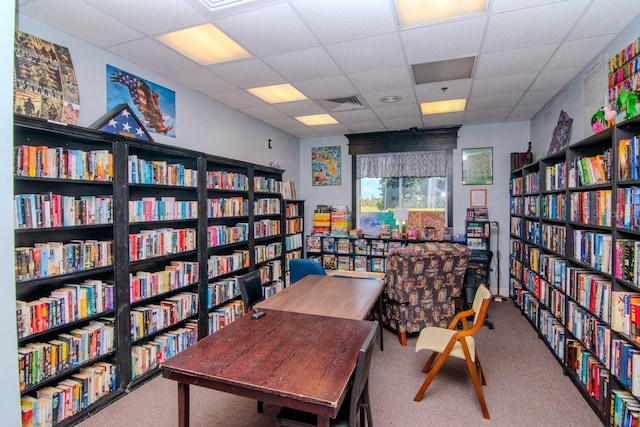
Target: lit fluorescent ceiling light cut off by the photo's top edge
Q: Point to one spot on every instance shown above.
(416, 12)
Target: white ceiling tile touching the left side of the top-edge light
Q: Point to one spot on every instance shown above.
(337, 20)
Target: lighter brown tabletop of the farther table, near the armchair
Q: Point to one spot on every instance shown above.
(346, 297)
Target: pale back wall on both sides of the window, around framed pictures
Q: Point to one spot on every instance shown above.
(503, 137)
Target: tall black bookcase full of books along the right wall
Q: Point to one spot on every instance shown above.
(575, 237)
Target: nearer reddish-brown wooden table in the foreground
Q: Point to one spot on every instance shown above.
(297, 360)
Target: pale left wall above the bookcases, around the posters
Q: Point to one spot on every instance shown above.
(201, 123)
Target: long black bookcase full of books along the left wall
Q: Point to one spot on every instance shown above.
(126, 254)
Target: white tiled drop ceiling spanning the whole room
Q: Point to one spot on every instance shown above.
(525, 52)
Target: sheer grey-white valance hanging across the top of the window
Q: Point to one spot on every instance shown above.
(422, 164)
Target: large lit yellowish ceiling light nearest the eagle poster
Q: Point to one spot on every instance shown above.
(204, 44)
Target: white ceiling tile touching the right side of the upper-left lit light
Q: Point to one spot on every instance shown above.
(268, 30)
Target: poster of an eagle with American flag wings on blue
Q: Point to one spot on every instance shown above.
(153, 104)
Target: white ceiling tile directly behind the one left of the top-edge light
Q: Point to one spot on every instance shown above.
(368, 54)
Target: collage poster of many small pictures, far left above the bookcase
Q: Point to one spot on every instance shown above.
(44, 83)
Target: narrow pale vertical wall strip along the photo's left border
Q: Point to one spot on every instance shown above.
(9, 396)
